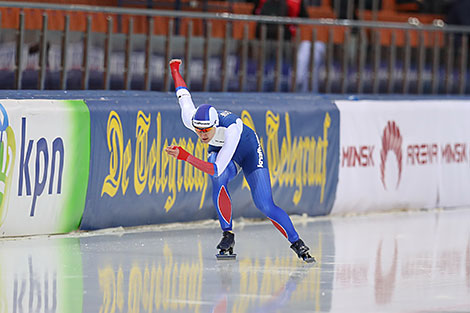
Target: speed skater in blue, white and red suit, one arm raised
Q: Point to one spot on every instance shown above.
(233, 147)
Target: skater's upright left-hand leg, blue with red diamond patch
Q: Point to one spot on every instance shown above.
(220, 194)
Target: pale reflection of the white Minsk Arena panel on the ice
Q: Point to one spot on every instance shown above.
(394, 263)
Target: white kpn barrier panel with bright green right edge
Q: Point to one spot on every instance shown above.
(44, 165)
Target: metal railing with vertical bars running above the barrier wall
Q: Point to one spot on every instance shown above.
(325, 55)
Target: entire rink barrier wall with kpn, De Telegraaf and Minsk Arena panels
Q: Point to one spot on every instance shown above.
(326, 154)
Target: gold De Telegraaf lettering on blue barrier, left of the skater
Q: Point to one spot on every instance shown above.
(152, 166)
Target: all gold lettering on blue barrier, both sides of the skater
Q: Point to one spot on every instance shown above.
(296, 162)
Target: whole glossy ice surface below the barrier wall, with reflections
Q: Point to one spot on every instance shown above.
(393, 262)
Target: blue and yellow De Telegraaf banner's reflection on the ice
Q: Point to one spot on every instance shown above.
(166, 271)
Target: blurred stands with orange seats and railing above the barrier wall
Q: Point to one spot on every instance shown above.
(360, 46)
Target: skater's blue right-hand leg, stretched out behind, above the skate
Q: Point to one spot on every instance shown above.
(261, 192)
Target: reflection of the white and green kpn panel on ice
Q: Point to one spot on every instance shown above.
(40, 275)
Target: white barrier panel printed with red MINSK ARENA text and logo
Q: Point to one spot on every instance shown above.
(403, 154)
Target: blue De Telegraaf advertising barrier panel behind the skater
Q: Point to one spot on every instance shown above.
(133, 182)
